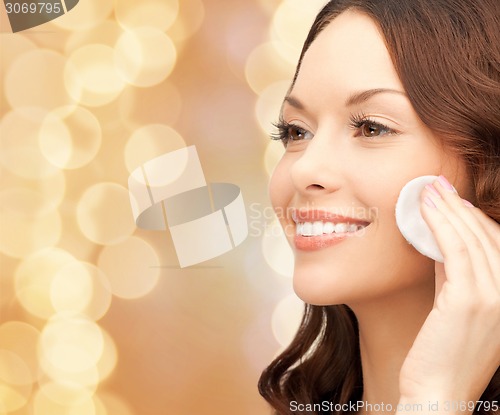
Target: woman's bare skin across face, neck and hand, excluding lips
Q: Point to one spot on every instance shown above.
(422, 325)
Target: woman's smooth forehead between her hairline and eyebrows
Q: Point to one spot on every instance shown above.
(348, 55)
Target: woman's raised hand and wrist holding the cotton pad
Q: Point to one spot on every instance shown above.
(457, 350)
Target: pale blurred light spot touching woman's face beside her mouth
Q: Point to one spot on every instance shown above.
(276, 250)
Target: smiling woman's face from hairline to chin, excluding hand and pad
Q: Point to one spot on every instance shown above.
(353, 141)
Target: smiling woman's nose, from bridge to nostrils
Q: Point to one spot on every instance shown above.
(318, 168)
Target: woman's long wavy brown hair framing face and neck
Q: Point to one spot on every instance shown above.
(447, 56)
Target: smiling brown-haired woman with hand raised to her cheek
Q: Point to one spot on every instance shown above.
(386, 91)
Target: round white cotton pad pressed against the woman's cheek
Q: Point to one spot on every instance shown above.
(410, 221)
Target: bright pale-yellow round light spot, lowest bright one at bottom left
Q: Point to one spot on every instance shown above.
(71, 343)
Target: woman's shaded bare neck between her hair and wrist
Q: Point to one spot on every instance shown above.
(387, 329)
